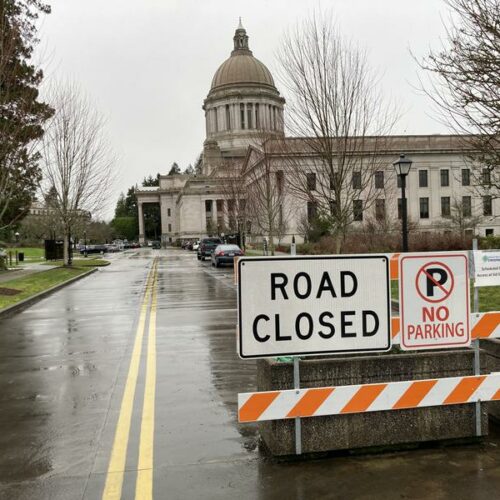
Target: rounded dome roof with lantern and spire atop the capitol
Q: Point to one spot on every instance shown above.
(242, 67)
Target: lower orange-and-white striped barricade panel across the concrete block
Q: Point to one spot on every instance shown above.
(275, 405)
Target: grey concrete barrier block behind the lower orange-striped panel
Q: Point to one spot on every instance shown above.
(371, 429)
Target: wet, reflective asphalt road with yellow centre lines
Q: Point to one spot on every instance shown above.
(126, 382)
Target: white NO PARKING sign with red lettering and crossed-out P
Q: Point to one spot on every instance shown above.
(434, 301)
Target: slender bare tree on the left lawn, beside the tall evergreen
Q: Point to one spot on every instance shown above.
(76, 159)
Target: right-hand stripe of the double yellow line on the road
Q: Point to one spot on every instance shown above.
(144, 485)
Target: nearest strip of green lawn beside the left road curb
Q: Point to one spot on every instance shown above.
(38, 282)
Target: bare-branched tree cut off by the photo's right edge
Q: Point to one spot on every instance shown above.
(464, 83)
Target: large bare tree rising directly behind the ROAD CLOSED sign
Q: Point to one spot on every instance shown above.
(337, 113)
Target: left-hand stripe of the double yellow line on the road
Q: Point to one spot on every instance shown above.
(116, 468)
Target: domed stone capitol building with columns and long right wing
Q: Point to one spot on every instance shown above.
(245, 129)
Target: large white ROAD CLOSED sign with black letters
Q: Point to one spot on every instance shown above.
(313, 305)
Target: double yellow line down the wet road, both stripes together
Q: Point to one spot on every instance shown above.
(116, 468)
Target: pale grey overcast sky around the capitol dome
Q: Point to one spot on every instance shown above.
(147, 65)
